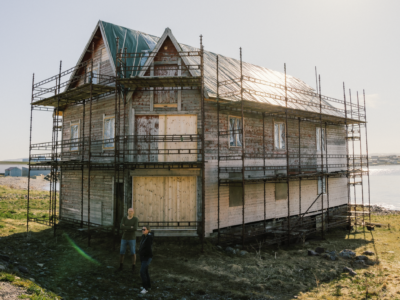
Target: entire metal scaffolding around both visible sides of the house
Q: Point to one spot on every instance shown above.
(123, 152)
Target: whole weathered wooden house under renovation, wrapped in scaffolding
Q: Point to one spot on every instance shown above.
(197, 143)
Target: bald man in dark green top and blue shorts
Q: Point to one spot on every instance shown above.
(129, 225)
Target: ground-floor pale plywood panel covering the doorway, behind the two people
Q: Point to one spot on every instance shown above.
(166, 199)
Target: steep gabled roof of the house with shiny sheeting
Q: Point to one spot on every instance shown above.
(229, 69)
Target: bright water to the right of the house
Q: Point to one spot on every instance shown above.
(384, 187)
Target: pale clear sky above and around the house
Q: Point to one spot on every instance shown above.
(352, 41)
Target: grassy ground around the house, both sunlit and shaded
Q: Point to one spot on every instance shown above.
(64, 267)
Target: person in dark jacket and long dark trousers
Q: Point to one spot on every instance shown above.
(146, 255)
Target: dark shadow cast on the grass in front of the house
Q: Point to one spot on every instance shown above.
(71, 269)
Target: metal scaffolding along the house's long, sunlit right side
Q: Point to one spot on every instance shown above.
(299, 166)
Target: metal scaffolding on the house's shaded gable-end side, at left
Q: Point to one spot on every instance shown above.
(83, 89)
